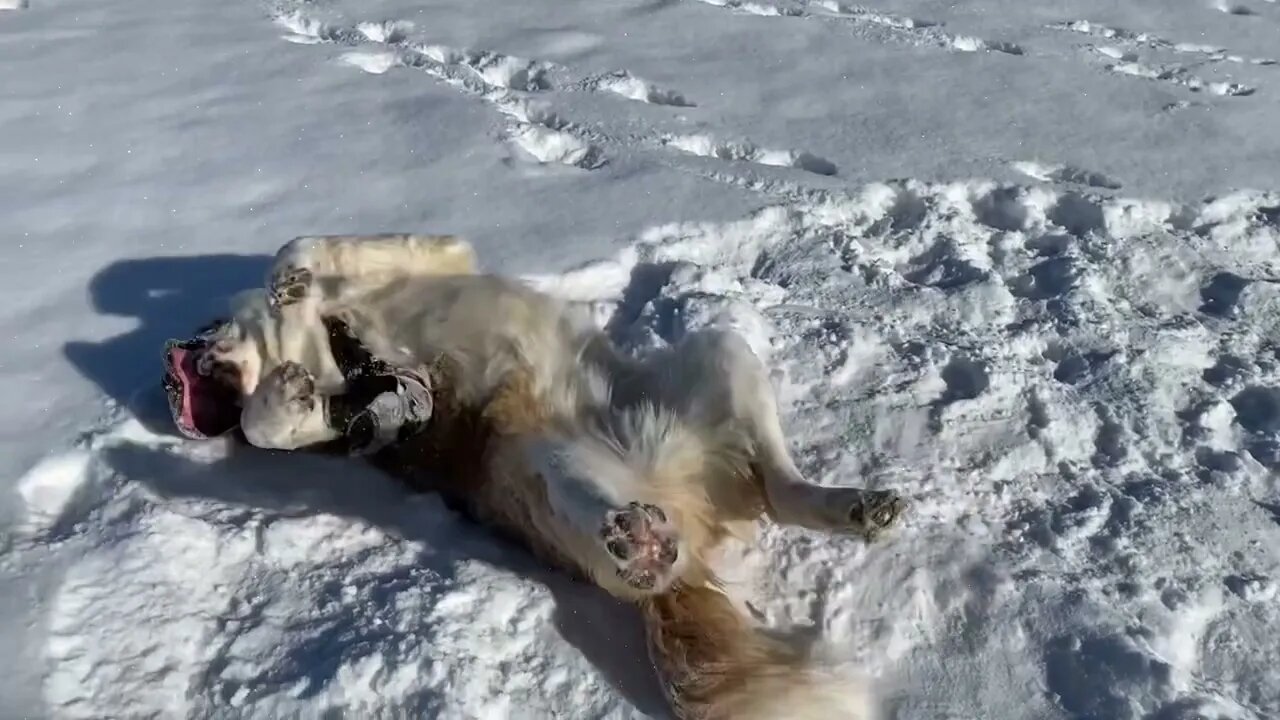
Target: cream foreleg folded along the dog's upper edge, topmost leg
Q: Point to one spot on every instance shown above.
(323, 268)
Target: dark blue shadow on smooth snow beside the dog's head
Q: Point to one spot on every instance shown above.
(167, 298)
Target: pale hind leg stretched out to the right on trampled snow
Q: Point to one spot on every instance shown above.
(725, 381)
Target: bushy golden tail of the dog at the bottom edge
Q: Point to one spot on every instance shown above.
(717, 666)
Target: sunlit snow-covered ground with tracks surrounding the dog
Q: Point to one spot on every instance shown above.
(1020, 261)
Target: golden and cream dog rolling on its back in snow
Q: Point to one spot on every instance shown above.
(628, 472)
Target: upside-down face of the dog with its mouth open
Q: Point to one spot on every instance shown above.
(208, 377)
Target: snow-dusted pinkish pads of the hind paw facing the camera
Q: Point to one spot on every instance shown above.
(643, 544)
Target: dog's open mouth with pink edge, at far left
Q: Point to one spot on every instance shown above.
(202, 405)
